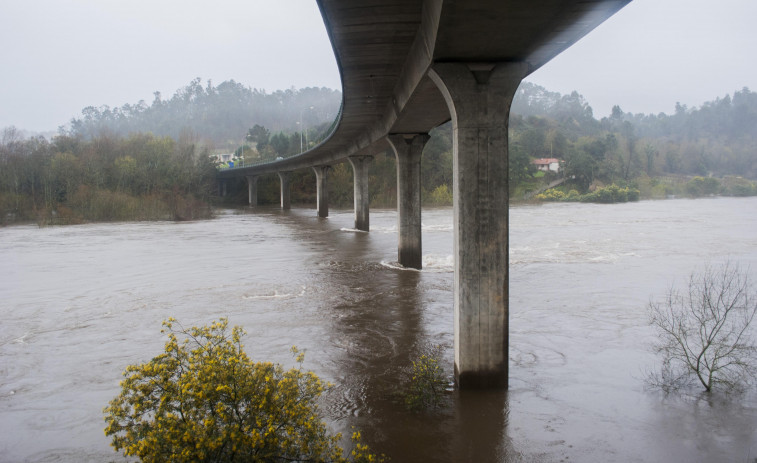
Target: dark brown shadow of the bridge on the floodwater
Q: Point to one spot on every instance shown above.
(378, 320)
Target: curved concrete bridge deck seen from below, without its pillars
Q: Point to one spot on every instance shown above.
(384, 50)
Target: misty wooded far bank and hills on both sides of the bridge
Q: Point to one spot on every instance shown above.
(158, 161)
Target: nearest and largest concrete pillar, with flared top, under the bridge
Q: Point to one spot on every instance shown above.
(479, 97)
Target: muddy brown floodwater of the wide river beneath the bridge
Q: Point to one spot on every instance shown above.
(80, 303)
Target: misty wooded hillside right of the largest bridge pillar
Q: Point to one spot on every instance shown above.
(658, 154)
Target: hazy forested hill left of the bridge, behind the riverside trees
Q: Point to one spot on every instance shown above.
(220, 115)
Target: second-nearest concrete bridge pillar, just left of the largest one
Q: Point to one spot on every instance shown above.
(408, 149)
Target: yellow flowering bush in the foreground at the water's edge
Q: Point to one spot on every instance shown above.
(204, 400)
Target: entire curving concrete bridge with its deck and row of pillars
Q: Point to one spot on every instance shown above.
(408, 66)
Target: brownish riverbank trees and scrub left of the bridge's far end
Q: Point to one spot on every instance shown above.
(106, 178)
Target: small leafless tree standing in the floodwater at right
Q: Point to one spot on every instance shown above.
(704, 332)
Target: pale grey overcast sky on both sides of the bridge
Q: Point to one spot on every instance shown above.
(59, 56)
